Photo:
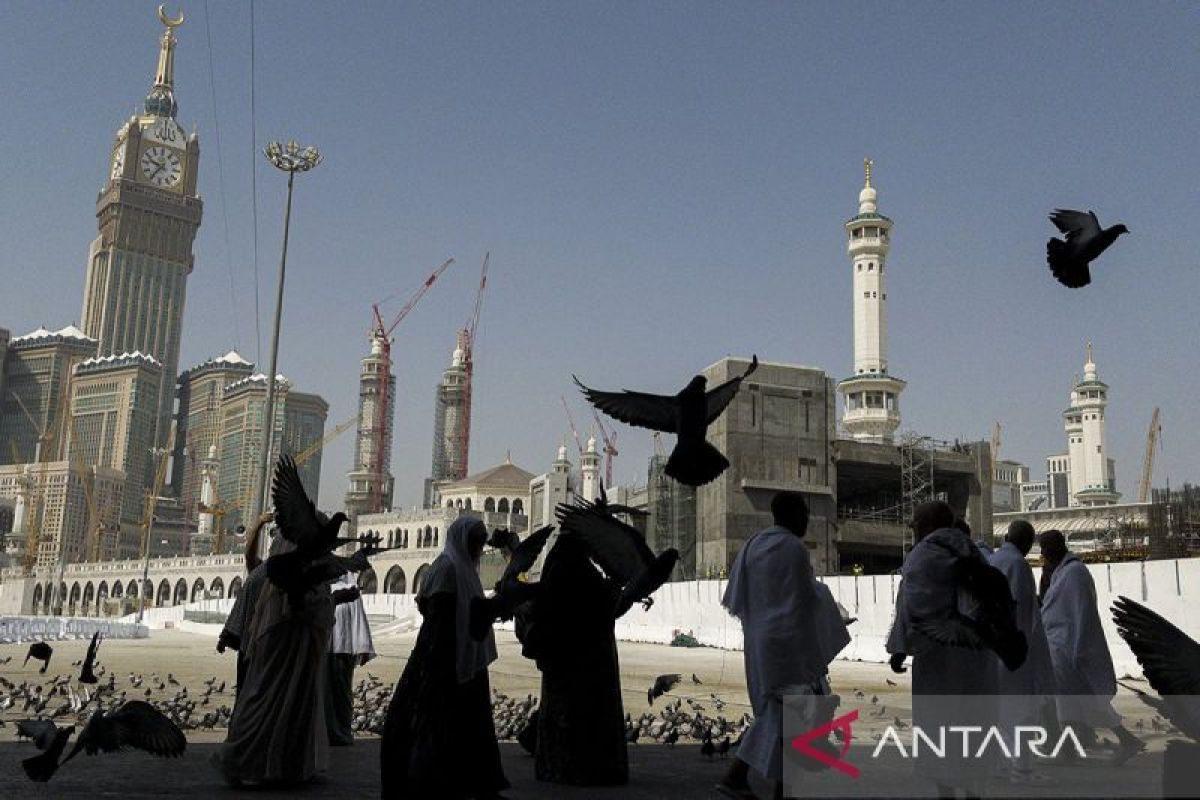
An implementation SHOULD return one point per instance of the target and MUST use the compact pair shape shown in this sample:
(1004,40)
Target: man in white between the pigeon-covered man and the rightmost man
(1029,685)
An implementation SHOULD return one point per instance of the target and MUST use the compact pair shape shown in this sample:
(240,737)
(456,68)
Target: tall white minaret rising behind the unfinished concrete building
(871,398)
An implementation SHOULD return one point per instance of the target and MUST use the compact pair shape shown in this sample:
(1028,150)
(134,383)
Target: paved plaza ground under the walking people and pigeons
(657,771)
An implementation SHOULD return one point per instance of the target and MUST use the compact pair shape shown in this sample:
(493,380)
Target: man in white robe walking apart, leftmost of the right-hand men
(791,631)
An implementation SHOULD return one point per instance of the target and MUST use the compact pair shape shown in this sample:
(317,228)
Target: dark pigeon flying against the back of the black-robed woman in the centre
(620,550)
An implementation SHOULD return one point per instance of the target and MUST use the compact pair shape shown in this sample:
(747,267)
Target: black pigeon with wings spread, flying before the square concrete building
(688,414)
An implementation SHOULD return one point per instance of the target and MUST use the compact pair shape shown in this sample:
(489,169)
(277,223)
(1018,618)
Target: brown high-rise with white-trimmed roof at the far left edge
(38,378)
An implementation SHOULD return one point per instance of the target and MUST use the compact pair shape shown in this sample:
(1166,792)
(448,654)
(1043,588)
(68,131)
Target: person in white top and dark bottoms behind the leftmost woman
(350,647)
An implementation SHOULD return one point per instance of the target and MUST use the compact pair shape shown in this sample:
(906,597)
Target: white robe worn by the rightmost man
(1083,665)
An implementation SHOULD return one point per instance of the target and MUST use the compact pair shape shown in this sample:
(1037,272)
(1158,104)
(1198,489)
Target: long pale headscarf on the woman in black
(457,573)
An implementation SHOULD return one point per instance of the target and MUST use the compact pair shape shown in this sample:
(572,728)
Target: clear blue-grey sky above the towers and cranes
(659,185)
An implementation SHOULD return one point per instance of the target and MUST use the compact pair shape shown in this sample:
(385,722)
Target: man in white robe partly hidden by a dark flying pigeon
(929,593)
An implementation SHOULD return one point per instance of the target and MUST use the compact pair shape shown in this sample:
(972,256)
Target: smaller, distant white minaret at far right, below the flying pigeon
(1091,474)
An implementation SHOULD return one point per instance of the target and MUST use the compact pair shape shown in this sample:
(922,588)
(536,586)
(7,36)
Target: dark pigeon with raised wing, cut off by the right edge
(1171,660)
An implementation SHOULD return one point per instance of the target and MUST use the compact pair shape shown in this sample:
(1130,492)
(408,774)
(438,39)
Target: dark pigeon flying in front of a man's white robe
(994,628)
